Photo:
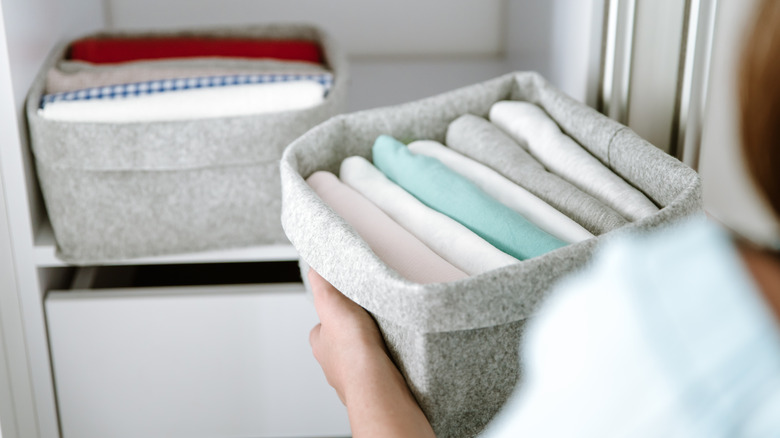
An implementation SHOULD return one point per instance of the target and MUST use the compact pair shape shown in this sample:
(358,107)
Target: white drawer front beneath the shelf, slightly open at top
(189,362)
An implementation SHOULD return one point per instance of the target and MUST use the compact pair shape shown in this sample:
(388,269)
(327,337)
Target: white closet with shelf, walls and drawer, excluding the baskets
(216,342)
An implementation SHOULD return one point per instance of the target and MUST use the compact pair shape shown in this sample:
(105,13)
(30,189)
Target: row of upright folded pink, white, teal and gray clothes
(465,218)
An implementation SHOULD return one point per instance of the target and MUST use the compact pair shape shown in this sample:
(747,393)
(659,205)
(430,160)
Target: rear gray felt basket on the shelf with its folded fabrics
(151,143)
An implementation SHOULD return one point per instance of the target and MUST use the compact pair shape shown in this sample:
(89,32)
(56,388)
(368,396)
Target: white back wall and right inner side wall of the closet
(407,49)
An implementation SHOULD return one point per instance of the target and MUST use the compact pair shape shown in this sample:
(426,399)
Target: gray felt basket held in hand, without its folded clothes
(457,343)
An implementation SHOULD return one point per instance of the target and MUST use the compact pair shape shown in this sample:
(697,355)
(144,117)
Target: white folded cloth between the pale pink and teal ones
(448,238)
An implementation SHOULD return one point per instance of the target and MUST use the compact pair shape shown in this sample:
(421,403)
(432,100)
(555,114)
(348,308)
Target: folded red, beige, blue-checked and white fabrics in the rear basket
(142,79)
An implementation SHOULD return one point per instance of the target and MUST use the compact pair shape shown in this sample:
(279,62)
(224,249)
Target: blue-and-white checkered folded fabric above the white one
(179,84)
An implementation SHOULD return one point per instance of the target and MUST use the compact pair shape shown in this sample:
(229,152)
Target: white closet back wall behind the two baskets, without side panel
(399,51)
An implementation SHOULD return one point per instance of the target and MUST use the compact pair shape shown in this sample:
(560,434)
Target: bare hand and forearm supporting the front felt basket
(350,350)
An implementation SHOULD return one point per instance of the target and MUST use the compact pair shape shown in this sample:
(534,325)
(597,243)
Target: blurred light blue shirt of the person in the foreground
(663,336)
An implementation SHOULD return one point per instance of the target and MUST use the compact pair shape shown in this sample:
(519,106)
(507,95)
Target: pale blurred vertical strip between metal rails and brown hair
(729,194)
